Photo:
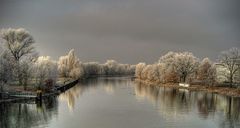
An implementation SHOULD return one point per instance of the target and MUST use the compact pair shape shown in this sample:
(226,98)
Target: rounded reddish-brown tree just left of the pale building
(207,72)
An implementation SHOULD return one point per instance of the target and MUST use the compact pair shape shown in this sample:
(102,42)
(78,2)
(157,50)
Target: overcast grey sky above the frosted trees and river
(128,31)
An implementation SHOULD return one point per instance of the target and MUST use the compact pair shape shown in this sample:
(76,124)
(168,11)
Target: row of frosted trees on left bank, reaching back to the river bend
(20,63)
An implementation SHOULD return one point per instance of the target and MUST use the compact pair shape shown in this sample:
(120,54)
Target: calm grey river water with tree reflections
(122,103)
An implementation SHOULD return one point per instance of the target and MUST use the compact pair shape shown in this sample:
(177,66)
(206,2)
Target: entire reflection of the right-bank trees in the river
(175,103)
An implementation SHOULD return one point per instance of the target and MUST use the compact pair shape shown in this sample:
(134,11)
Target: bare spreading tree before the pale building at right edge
(230,60)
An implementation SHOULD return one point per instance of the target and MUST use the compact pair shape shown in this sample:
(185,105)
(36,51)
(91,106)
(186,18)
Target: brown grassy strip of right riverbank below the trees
(227,91)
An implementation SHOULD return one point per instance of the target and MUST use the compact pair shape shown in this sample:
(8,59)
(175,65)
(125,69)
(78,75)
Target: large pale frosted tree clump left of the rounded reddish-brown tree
(171,67)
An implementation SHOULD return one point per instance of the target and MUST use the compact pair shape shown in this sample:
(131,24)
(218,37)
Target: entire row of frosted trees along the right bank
(175,67)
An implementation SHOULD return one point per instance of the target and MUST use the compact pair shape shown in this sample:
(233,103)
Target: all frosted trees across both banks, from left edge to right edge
(20,63)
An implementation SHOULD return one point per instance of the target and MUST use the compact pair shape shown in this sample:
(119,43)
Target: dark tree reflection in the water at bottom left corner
(23,115)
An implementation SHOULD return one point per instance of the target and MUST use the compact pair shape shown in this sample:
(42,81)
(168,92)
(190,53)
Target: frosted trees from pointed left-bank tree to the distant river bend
(69,66)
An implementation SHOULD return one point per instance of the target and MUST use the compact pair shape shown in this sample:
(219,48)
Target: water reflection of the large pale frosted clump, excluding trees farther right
(169,102)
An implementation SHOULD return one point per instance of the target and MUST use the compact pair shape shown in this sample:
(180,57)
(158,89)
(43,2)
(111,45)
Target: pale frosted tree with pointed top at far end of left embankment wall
(70,66)
